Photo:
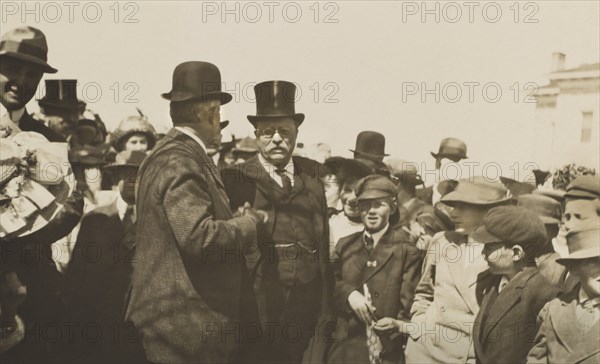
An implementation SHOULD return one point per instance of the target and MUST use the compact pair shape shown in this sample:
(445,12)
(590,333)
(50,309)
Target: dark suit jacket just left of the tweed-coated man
(96,284)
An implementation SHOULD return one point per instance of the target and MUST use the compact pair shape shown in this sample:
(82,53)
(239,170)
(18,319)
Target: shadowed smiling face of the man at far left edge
(18,82)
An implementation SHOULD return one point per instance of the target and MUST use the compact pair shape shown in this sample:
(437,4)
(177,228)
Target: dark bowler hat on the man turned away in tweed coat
(196,81)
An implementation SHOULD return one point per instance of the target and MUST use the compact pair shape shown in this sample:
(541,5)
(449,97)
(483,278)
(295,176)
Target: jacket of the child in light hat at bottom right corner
(558,340)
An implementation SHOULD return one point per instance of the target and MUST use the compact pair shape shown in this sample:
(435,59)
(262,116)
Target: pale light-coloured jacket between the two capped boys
(447,301)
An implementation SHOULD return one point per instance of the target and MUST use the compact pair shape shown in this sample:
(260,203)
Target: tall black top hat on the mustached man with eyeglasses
(275,99)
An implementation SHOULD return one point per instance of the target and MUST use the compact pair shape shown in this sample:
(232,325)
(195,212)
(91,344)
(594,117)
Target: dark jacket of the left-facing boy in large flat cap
(510,325)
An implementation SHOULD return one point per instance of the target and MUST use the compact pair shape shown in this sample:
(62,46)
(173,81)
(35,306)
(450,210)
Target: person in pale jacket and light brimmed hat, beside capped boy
(447,299)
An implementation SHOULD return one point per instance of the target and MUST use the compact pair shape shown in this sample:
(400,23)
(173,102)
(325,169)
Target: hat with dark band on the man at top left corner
(26,44)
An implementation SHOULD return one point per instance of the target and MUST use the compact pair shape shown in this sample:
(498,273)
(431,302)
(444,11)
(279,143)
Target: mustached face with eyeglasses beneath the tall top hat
(276,139)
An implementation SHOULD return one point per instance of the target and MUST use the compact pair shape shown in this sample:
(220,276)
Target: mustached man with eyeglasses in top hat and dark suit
(289,267)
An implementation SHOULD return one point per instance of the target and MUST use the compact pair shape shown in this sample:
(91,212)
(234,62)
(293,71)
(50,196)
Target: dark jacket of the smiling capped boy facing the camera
(391,283)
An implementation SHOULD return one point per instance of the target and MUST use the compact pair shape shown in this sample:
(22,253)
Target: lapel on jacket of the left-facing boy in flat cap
(507,299)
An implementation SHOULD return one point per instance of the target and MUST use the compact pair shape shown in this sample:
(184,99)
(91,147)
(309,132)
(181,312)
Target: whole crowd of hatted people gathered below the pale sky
(130,246)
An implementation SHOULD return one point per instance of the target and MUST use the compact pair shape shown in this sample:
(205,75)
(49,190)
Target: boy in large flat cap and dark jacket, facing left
(506,324)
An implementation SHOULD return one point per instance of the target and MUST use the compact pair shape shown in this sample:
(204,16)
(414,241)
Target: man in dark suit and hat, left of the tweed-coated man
(95,289)
